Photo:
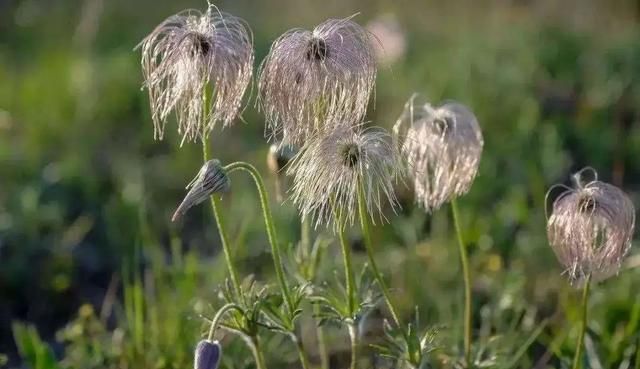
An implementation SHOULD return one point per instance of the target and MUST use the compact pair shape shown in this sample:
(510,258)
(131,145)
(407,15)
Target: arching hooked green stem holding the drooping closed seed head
(271,229)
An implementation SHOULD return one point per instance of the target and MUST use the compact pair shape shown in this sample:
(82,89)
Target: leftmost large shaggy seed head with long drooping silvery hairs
(192,55)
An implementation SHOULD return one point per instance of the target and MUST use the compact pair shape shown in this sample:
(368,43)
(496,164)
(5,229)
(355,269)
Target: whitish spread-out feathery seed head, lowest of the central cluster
(327,171)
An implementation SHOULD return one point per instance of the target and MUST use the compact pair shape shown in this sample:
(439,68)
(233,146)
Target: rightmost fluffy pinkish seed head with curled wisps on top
(590,228)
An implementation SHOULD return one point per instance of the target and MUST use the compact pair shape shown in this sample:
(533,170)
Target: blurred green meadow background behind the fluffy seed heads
(94,274)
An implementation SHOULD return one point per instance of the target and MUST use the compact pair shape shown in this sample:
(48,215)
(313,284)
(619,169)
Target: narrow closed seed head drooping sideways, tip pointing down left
(212,178)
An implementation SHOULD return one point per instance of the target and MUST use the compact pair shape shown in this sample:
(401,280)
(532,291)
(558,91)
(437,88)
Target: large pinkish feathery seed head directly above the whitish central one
(313,81)
